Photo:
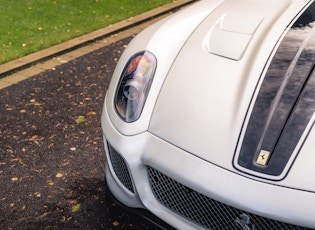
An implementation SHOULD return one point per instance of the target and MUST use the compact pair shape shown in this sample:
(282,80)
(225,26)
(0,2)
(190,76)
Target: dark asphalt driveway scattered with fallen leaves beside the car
(51,157)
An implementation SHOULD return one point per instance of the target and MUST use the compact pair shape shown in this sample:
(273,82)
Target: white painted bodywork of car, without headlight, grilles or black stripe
(192,119)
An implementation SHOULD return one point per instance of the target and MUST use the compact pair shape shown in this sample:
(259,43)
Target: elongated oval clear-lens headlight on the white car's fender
(134,85)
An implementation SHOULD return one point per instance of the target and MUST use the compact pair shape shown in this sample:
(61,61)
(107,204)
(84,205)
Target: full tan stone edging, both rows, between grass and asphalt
(25,67)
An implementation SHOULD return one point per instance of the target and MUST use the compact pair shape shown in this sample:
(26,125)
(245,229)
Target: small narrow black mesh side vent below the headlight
(120,167)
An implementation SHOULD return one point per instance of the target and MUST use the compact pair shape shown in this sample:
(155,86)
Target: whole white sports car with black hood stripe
(208,120)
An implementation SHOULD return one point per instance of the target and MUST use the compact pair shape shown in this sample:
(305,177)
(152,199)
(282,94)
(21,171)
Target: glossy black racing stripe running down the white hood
(286,100)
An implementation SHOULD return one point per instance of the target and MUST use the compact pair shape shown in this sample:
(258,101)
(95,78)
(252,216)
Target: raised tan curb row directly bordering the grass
(40,56)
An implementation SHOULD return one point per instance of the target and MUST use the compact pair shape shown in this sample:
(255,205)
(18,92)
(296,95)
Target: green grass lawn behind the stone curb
(30,25)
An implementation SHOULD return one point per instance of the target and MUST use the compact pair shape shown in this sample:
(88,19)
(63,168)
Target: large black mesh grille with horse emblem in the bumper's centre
(204,211)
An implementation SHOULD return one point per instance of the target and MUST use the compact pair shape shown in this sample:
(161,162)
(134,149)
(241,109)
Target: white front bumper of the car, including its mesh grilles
(189,193)
